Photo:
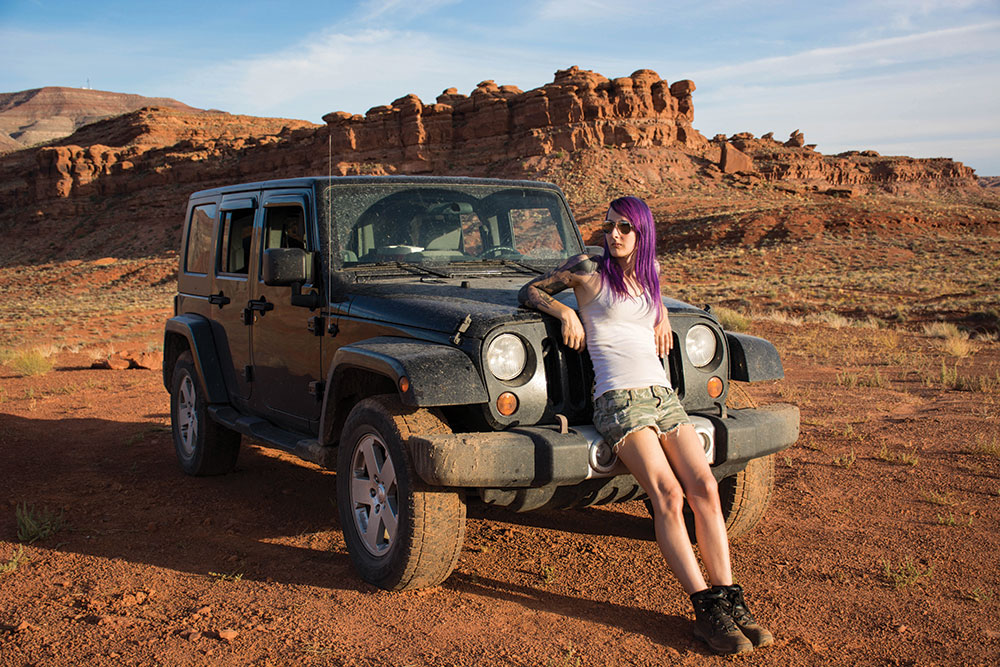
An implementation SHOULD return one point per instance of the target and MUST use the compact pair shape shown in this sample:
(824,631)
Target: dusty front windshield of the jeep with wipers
(445,223)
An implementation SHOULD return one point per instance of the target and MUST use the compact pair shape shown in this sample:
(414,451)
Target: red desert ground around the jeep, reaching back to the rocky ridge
(879,548)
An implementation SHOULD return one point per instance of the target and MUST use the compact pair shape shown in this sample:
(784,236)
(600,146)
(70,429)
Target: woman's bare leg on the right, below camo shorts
(687,459)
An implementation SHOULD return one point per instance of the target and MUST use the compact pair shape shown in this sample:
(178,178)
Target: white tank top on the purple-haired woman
(621,342)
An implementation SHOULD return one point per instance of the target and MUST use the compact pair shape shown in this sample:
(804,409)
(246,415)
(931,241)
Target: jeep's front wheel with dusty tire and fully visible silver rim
(400,533)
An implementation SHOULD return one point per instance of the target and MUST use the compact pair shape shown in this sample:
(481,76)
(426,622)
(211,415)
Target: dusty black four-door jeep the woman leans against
(371,325)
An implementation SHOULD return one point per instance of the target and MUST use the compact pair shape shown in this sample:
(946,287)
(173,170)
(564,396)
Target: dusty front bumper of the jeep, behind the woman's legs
(536,456)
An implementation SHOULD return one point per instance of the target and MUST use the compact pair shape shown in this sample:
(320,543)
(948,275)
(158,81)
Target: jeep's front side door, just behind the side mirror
(286,351)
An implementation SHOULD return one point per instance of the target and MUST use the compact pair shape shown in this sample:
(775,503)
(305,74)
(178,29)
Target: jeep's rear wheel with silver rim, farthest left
(203,447)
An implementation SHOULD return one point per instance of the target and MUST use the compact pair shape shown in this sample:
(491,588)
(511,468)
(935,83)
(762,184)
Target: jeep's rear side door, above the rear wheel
(233,264)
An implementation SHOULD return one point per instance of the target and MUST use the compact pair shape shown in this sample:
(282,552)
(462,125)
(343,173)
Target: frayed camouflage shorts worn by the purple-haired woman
(621,411)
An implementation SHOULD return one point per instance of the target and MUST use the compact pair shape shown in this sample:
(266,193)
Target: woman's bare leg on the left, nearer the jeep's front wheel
(643,455)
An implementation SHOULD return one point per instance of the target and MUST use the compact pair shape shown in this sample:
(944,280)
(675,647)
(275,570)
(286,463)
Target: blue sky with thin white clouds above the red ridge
(903,77)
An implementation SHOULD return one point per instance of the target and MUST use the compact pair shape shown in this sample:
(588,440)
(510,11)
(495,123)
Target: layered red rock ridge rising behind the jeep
(119,185)
